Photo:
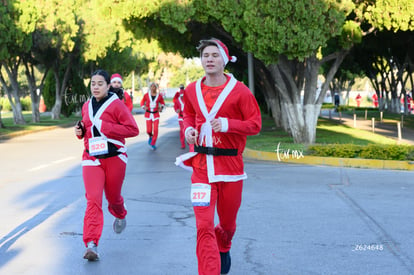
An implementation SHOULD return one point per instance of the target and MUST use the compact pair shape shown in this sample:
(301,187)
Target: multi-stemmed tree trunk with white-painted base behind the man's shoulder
(300,100)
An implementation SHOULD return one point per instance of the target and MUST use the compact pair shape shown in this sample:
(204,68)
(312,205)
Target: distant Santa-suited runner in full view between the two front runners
(153,103)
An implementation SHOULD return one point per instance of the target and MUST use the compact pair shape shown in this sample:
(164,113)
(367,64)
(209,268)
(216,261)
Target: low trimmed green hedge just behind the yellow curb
(371,151)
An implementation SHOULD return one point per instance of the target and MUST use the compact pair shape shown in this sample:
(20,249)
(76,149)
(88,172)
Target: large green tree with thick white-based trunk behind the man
(286,38)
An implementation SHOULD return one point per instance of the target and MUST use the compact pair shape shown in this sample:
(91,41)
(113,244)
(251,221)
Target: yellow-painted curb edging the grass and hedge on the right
(329,161)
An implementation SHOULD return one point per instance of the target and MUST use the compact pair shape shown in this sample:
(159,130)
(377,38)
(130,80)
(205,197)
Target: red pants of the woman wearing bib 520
(106,177)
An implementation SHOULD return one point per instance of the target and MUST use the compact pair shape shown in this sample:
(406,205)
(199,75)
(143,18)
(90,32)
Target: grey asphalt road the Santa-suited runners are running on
(294,219)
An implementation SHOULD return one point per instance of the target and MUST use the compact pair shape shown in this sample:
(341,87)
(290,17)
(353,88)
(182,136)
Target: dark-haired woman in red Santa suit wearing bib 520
(106,122)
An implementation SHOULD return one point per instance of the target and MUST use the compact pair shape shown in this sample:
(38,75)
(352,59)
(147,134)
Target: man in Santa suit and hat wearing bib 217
(219,113)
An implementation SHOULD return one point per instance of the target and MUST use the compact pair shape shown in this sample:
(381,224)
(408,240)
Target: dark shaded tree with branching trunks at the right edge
(386,58)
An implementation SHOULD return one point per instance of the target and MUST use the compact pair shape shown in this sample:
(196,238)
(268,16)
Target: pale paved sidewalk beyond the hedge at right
(383,128)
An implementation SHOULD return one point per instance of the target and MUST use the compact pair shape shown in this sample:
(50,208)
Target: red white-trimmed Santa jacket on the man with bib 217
(241,116)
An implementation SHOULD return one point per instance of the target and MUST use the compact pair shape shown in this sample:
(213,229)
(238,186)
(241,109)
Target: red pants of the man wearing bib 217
(212,240)
